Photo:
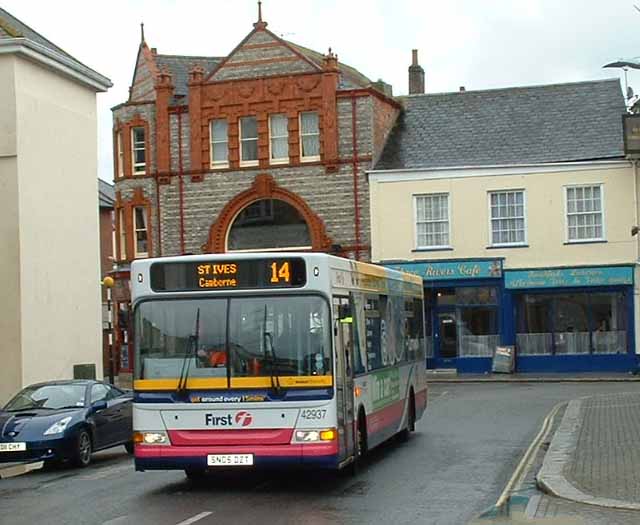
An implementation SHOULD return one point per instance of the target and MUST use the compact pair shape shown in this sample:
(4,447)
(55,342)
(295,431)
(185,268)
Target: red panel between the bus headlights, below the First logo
(247,436)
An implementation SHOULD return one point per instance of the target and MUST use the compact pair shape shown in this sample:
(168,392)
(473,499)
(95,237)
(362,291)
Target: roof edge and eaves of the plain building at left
(14,31)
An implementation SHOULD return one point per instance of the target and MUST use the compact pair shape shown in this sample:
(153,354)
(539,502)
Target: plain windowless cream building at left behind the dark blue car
(50,317)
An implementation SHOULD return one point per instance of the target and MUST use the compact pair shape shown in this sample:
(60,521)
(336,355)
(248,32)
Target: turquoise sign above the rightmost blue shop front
(569,277)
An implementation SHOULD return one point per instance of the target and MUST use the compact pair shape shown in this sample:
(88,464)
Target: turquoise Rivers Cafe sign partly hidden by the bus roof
(443,271)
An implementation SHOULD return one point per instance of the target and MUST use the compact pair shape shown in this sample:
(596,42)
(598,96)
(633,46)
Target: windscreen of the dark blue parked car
(52,397)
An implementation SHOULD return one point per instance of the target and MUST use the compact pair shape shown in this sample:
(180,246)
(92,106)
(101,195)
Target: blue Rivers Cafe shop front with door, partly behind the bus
(463,311)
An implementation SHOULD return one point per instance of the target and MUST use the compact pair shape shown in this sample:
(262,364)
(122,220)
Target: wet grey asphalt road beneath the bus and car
(455,466)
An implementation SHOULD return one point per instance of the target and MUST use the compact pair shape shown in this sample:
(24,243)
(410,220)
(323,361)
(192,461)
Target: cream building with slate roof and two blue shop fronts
(516,206)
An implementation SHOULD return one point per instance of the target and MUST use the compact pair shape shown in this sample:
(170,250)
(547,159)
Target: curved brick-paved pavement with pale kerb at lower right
(594,457)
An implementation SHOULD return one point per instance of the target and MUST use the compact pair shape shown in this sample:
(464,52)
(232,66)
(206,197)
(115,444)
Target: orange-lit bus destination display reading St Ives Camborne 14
(228,275)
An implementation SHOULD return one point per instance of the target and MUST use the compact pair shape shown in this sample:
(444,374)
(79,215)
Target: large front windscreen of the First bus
(233,337)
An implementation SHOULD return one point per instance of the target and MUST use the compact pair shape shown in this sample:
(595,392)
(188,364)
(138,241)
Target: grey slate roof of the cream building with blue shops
(520,125)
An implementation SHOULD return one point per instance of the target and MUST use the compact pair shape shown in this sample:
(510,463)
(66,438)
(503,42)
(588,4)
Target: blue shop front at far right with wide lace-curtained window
(573,319)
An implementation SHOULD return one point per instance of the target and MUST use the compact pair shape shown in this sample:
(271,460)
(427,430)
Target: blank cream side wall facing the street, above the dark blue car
(59,236)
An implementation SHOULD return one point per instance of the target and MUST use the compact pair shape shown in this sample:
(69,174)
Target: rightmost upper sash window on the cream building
(585,221)
